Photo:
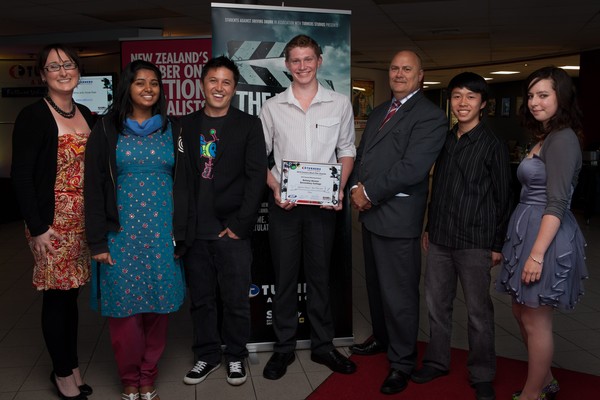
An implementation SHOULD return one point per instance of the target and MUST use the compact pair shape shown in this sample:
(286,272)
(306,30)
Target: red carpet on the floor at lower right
(510,376)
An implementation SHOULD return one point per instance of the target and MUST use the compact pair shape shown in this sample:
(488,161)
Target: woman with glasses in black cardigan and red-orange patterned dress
(49,140)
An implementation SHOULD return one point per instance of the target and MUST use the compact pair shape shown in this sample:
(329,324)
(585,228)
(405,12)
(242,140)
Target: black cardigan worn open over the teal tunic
(100,197)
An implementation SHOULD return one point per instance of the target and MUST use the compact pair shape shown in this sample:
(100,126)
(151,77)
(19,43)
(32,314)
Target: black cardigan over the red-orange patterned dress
(34,159)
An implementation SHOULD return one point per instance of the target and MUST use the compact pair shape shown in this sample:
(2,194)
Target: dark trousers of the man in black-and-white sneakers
(220,266)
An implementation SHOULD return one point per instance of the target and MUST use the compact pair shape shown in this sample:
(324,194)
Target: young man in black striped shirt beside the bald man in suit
(467,219)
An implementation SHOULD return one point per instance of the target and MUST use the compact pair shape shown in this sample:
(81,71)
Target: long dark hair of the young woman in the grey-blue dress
(568,114)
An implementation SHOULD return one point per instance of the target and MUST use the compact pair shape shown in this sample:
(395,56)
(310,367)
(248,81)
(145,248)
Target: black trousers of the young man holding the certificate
(304,232)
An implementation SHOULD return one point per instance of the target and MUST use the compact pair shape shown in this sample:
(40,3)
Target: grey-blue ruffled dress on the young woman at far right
(560,285)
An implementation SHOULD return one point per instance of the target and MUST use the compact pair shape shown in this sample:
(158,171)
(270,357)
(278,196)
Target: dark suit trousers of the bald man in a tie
(392,274)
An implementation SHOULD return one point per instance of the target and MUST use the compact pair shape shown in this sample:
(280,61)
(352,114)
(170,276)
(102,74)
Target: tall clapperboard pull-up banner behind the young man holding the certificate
(254,37)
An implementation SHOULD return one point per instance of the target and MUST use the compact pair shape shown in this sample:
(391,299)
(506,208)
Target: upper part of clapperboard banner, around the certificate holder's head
(254,37)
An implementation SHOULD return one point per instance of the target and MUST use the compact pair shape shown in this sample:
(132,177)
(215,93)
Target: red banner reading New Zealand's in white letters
(180,62)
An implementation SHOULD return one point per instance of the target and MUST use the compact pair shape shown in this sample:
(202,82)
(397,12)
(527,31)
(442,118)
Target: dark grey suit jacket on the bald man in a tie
(394,163)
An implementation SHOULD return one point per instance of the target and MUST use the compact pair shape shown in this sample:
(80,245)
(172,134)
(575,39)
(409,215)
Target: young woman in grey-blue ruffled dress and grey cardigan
(544,262)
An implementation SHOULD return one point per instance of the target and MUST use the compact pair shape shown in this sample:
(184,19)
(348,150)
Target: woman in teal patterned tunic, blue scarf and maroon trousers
(136,170)
